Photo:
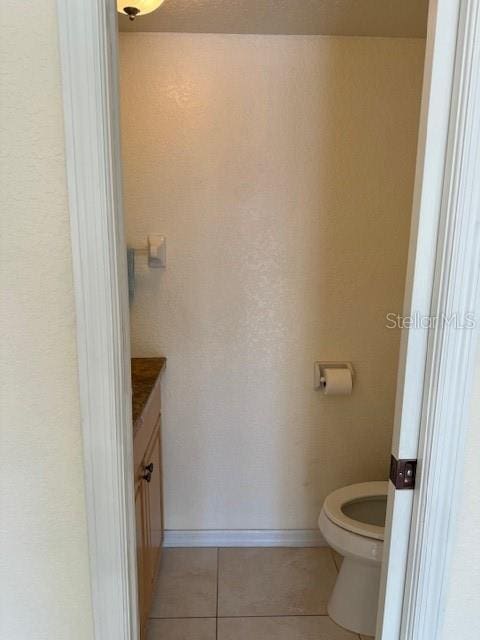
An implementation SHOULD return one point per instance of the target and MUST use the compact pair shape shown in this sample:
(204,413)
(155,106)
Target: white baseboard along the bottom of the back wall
(244,538)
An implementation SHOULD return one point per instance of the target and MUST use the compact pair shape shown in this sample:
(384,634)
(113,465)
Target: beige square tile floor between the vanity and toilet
(245,594)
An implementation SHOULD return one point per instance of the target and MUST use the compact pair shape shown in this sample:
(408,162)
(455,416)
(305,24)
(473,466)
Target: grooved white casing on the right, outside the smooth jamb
(449,370)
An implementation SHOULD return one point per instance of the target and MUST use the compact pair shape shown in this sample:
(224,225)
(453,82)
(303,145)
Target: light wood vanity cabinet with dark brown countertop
(147,454)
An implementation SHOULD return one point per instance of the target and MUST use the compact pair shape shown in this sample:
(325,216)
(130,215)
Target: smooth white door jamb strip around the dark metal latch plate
(427,198)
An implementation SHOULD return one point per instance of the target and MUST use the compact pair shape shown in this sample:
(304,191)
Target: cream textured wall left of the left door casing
(45,592)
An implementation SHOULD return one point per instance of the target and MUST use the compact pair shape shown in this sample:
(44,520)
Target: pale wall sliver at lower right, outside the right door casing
(462,615)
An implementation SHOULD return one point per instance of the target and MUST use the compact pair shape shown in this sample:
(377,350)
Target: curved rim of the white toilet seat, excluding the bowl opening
(355,492)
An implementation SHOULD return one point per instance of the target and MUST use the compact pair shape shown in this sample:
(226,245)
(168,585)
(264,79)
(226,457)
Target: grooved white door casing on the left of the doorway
(88,48)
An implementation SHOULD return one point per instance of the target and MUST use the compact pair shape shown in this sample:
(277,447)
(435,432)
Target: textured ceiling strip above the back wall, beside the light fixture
(397,18)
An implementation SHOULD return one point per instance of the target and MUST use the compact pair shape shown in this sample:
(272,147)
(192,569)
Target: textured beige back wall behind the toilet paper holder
(280,169)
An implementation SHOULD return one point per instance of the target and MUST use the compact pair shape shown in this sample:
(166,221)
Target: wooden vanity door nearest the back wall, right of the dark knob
(153,496)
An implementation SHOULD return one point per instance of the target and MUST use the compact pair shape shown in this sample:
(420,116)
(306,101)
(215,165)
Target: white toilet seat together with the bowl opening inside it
(369,497)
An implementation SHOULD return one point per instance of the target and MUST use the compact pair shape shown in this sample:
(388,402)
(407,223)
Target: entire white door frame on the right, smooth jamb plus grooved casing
(435,367)
